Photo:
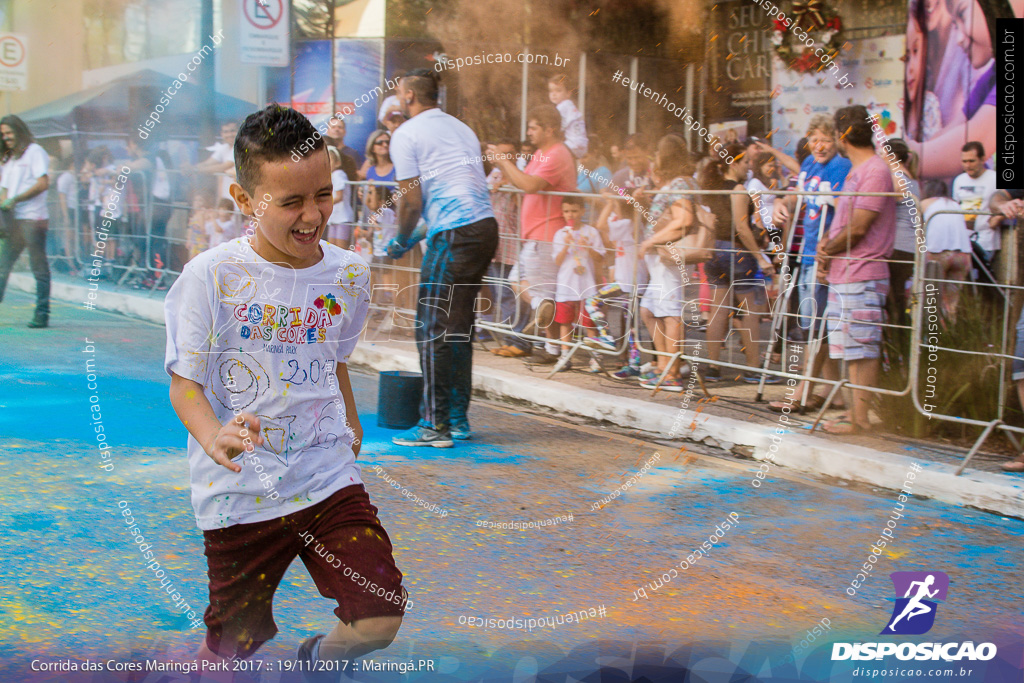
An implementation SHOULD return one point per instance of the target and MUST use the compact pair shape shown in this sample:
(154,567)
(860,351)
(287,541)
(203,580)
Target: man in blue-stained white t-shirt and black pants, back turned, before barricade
(436,181)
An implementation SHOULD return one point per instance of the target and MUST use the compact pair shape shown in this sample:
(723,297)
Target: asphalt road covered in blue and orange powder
(74,588)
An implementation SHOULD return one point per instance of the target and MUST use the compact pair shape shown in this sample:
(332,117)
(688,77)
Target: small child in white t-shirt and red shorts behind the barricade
(577,248)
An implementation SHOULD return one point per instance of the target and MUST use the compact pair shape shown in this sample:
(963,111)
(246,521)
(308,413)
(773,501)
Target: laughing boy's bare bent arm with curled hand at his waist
(222,443)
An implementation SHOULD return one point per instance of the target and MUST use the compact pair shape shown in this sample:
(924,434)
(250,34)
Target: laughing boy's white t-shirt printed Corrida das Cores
(267,339)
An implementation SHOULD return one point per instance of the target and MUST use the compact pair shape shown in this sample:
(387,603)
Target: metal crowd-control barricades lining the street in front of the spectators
(136,244)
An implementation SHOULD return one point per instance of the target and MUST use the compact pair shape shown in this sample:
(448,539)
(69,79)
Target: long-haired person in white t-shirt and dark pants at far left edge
(23,193)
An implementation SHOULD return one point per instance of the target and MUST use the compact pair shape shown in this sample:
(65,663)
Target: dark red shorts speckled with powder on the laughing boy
(346,550)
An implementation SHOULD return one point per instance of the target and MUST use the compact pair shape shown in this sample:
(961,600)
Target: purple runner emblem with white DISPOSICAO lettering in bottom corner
(915,609)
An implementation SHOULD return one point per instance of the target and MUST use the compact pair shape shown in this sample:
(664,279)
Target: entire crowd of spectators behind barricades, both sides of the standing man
(655,220)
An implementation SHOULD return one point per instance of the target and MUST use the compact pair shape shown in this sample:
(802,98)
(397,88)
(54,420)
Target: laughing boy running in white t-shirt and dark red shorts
(259,333)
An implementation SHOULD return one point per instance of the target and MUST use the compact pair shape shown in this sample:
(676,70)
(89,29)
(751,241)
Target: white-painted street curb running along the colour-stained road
(991,493)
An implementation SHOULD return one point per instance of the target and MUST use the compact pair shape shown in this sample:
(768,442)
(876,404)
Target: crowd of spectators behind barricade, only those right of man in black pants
(850,260)
